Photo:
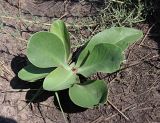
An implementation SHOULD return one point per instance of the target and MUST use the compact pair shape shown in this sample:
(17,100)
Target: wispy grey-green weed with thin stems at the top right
(120,13)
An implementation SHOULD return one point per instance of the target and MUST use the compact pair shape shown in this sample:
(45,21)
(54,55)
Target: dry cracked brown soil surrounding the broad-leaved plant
(134,90)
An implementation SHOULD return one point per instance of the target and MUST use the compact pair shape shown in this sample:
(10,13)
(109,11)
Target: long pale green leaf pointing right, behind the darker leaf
(120,36)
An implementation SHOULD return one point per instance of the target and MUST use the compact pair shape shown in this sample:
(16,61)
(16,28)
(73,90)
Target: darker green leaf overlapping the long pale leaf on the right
(103,58)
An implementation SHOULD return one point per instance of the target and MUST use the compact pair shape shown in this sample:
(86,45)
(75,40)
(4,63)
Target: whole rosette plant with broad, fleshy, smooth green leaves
(50,57)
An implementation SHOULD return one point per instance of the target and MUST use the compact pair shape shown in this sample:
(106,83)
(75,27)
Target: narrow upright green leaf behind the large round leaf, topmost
(58,27)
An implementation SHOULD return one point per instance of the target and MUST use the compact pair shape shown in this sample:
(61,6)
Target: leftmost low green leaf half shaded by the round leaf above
(32,73)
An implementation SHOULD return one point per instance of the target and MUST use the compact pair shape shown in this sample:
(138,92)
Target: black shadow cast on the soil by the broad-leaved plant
(35,95)
